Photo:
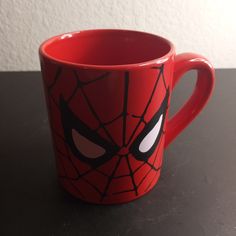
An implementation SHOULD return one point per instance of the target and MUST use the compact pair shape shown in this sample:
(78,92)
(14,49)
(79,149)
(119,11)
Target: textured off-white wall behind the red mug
(207,27)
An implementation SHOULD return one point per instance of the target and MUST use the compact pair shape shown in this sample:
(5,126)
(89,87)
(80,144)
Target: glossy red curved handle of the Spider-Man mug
(202,92)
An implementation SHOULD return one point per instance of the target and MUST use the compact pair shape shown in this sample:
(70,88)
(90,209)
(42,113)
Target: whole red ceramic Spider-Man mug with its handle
(108,93)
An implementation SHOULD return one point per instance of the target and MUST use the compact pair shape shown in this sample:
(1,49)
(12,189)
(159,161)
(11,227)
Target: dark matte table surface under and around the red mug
(196,194)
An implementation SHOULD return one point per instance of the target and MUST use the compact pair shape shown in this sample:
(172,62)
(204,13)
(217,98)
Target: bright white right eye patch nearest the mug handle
(150,138)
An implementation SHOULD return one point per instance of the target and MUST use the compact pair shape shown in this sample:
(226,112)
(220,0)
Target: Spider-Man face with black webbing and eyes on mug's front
(108,130)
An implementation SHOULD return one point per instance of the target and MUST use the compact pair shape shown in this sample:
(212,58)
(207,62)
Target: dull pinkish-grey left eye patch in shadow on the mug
(86,147)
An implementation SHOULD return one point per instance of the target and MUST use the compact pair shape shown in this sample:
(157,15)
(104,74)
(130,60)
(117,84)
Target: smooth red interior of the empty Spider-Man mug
(106,47)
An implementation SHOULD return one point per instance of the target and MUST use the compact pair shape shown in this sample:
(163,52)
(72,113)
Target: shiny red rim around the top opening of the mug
(51,40)
